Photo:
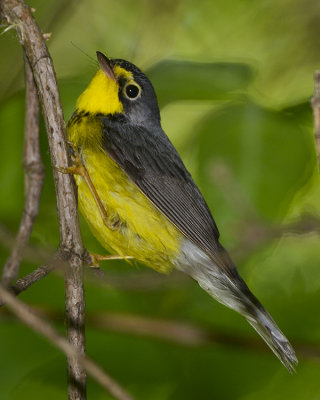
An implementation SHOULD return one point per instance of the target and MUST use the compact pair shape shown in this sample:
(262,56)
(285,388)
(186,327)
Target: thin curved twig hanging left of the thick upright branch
(34,175)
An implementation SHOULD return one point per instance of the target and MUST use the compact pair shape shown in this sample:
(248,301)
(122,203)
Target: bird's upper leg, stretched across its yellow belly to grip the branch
(78,168)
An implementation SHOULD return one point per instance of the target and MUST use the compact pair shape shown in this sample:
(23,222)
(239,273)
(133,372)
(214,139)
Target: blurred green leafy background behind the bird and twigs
(234,81)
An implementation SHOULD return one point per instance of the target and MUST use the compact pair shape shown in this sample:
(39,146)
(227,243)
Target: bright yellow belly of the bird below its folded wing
(144,233)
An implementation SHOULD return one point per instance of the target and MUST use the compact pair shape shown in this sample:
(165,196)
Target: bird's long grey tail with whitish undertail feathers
(226,286)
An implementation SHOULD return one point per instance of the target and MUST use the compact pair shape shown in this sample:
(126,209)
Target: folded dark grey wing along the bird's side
(154,165)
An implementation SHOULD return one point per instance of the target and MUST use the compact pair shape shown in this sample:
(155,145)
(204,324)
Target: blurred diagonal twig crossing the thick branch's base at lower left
(30,318)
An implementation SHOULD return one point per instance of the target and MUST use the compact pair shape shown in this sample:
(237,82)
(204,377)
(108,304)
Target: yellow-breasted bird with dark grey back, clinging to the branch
(139,199)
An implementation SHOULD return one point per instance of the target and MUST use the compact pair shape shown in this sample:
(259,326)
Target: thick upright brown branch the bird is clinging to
(18,14)
